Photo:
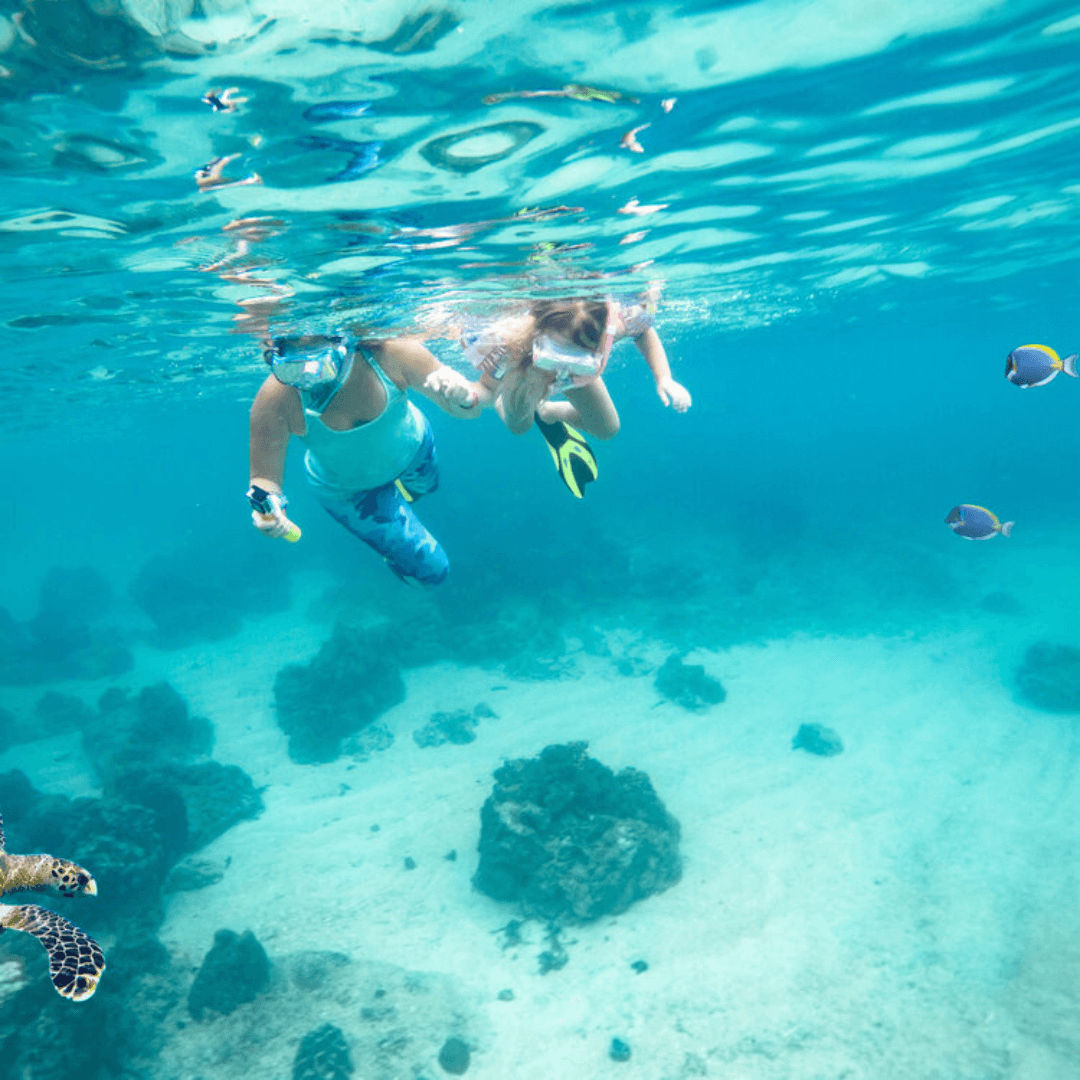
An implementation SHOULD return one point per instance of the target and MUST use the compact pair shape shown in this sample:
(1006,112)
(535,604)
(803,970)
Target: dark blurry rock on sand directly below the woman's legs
(350,683)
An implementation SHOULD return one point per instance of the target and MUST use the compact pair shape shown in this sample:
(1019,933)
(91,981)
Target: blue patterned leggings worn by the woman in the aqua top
(386,522)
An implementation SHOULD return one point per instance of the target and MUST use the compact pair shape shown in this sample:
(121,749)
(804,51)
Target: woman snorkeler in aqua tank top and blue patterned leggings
(371,452)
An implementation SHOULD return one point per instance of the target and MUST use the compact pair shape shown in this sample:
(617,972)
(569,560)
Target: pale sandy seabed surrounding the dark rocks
(907,910)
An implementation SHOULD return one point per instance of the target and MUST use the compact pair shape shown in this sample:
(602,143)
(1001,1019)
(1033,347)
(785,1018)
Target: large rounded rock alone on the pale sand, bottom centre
(566,839)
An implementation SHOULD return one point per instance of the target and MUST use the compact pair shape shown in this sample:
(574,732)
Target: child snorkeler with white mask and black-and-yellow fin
(562,347)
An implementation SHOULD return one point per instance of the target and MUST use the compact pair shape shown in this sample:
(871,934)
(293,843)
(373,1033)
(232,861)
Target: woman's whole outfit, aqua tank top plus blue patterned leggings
(354,475)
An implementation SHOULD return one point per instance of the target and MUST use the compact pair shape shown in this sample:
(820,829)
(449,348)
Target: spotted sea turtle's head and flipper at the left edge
(76,962)
